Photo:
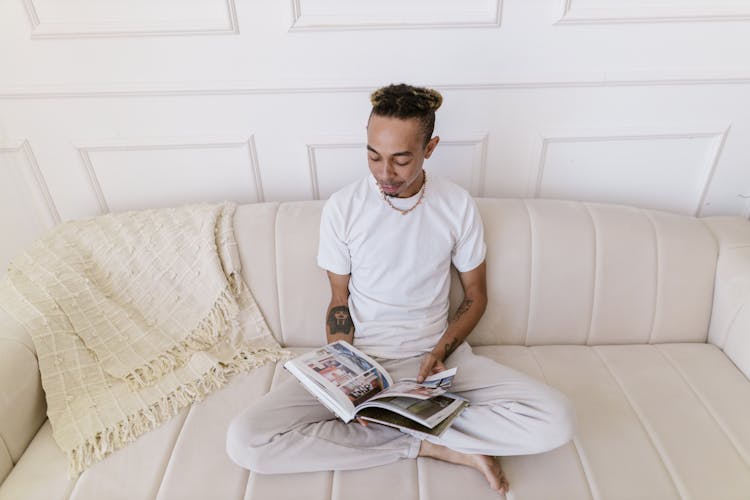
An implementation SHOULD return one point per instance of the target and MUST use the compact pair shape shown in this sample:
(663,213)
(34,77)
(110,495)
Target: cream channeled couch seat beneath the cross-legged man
(654,421)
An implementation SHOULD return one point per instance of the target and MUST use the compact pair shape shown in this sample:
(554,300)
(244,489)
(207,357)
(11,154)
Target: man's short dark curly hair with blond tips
(405,101)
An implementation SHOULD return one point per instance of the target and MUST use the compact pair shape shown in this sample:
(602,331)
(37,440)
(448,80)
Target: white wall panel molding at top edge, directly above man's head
(306,16)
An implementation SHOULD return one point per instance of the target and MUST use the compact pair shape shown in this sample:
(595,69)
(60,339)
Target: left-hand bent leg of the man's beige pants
(288,430)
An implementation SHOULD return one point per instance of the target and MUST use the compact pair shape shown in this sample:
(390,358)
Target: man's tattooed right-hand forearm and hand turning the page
(474,283)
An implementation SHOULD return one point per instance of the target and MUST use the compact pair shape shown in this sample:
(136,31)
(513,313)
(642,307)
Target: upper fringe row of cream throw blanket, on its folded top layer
(215,326)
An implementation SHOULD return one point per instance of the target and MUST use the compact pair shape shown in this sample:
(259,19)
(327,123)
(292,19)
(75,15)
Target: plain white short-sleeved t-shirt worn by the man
(400,264)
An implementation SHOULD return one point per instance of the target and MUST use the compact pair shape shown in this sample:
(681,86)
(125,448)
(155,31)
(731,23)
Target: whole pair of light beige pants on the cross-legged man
(288,430)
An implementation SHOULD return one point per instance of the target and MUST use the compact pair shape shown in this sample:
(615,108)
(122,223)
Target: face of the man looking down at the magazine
(396,153)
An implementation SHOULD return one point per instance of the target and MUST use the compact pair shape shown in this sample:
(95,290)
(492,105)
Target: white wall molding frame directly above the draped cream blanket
(85,148)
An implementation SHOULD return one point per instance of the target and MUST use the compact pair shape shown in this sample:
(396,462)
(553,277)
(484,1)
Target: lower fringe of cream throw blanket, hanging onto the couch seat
(124,432)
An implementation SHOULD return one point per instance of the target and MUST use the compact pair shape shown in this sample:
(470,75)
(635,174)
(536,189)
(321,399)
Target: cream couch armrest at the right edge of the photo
(730,318)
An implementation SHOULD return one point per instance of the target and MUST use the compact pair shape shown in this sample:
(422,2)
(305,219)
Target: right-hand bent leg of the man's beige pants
(510,412)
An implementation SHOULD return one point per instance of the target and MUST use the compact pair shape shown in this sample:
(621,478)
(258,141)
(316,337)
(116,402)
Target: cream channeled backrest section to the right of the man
(567,272)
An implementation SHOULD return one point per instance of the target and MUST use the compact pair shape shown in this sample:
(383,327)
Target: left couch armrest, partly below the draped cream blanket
(23,408)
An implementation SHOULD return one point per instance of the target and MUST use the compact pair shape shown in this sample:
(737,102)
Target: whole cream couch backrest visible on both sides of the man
(559,272)
